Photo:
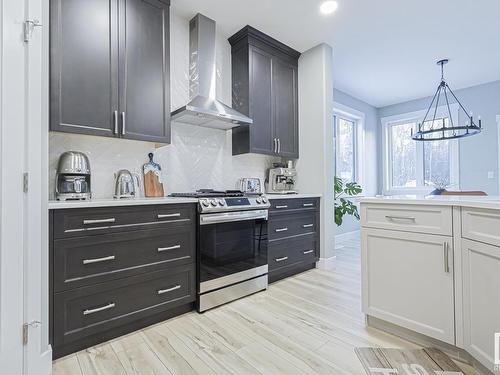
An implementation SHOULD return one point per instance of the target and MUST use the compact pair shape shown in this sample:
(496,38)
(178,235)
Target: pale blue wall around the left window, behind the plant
(371,150)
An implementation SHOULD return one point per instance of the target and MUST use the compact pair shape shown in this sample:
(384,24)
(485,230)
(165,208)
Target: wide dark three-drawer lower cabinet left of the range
(105,283)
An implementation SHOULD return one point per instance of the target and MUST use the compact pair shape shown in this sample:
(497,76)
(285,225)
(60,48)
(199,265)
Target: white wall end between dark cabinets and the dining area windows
(316,162)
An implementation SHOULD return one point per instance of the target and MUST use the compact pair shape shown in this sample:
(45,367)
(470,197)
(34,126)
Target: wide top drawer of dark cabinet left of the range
(83,221)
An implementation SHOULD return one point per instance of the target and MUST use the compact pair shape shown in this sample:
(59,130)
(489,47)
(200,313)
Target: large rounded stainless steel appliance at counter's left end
(73,177)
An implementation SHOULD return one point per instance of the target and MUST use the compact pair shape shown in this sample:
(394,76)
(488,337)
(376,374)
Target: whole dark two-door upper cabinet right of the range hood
(264,80)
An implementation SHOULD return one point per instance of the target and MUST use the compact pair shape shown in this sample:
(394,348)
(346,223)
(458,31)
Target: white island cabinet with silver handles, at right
(432,265)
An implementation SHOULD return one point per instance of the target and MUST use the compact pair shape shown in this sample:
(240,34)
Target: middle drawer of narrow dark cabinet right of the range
(292,224)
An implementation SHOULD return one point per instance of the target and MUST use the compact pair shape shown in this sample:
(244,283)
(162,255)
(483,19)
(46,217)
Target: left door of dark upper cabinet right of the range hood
(261,102)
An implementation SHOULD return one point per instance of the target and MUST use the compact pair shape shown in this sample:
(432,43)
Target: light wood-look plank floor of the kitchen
(306,324)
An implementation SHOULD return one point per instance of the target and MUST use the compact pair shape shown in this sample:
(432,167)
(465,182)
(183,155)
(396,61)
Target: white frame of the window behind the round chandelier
(416,117)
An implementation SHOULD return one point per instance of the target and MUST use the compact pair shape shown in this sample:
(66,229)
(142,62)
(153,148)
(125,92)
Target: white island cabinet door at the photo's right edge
(481,285)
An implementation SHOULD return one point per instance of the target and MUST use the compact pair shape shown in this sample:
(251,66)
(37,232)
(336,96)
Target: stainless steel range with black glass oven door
(232,245)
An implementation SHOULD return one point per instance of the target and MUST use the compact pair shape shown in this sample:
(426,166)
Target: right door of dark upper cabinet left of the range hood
(144,82)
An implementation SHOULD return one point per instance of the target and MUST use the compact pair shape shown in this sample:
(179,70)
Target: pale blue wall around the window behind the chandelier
(478,154)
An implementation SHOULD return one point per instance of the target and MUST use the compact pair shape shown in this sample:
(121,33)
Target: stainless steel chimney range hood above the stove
(203,108)
